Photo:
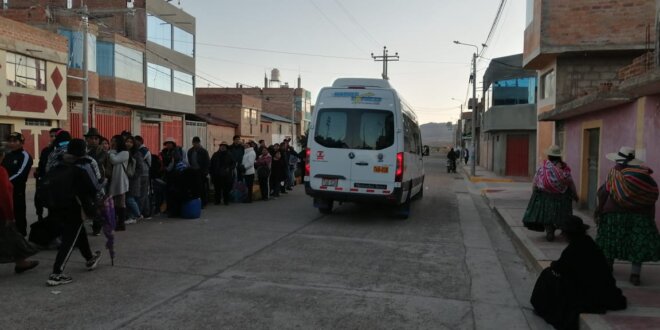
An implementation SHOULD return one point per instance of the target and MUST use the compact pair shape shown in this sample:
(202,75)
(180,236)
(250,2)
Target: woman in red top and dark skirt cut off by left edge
(13,246)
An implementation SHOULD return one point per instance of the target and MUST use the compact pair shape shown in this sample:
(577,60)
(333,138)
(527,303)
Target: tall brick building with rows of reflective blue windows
(141,63)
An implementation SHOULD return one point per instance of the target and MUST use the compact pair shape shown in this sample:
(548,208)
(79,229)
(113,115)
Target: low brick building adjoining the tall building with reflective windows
(243,110)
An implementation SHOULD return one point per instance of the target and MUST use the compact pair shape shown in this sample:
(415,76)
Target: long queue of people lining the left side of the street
(118,182)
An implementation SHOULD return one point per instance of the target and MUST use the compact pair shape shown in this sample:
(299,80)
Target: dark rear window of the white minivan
(355,129)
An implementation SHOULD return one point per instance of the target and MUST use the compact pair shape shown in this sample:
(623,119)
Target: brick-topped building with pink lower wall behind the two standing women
(585,52)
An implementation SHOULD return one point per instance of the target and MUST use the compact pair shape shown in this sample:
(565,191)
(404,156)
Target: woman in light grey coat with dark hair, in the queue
(119,184)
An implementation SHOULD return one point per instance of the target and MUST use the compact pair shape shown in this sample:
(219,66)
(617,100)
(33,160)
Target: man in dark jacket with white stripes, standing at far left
(18,164)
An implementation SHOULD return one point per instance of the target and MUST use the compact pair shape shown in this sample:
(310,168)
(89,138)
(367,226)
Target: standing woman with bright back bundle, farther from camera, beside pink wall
(553,191)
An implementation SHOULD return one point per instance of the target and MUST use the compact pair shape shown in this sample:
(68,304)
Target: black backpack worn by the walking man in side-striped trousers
(56,188)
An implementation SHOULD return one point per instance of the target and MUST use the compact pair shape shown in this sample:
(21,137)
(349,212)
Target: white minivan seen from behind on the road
(364,145)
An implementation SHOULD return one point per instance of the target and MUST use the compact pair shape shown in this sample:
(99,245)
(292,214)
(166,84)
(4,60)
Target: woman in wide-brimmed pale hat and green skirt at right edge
(626,213)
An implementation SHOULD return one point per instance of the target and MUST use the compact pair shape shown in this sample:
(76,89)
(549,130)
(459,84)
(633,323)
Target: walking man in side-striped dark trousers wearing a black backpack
(68,190)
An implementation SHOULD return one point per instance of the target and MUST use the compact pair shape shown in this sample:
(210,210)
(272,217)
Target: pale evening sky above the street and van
(239,41)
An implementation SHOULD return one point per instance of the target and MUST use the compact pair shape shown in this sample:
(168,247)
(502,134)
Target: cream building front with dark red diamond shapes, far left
(33,84)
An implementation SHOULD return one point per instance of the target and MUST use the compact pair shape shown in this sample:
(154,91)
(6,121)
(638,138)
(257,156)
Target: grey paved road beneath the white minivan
(280,264)
